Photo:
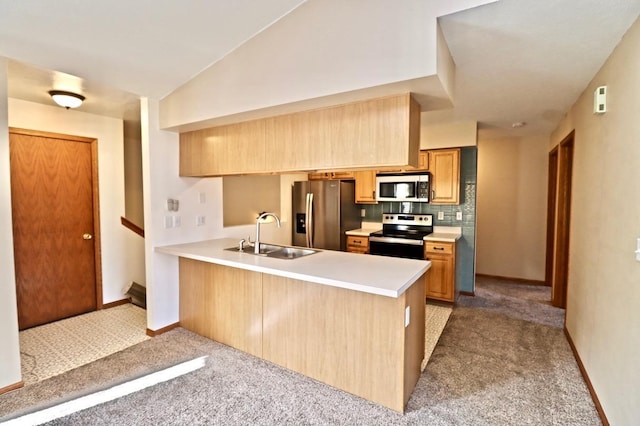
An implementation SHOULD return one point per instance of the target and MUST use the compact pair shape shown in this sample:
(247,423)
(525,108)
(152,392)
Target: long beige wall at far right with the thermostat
(603,306)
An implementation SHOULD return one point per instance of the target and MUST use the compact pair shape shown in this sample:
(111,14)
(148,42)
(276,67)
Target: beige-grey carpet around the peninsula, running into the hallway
(503,359)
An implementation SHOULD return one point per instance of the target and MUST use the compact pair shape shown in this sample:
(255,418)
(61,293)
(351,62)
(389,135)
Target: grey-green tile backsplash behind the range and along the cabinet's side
(465,273)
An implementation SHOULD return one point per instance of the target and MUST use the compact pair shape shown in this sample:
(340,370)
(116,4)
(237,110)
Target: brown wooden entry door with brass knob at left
(53,197)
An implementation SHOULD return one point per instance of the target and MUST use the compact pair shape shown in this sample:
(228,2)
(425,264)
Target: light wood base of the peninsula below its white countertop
(351,340)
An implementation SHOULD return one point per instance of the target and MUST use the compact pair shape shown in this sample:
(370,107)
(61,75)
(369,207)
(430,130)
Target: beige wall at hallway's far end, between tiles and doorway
(511,207)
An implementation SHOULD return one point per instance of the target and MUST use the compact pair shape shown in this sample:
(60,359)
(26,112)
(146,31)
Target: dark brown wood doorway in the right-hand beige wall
(559,220)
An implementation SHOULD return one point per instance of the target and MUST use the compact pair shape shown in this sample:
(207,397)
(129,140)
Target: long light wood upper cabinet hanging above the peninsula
(381,132)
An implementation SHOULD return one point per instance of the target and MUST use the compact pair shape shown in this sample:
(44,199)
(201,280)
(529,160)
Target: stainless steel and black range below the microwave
(402,235)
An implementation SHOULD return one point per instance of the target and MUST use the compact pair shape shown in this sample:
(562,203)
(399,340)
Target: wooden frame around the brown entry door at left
(97,242)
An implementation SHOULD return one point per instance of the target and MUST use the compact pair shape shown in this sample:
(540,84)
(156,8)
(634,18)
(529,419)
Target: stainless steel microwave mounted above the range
(403,187)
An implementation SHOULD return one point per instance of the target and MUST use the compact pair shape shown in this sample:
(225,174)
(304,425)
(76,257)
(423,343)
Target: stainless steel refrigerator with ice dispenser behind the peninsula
(323,211)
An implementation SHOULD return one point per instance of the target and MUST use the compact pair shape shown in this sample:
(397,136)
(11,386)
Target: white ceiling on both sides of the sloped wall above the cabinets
(516,60)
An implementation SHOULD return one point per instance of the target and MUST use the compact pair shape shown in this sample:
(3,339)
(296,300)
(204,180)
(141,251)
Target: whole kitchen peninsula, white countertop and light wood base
(353,322)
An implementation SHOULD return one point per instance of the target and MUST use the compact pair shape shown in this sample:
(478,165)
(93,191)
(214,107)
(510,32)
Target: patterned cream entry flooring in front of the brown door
(54,348)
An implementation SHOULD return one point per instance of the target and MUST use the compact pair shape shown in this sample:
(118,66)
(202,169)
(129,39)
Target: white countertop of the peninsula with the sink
(385,276)
